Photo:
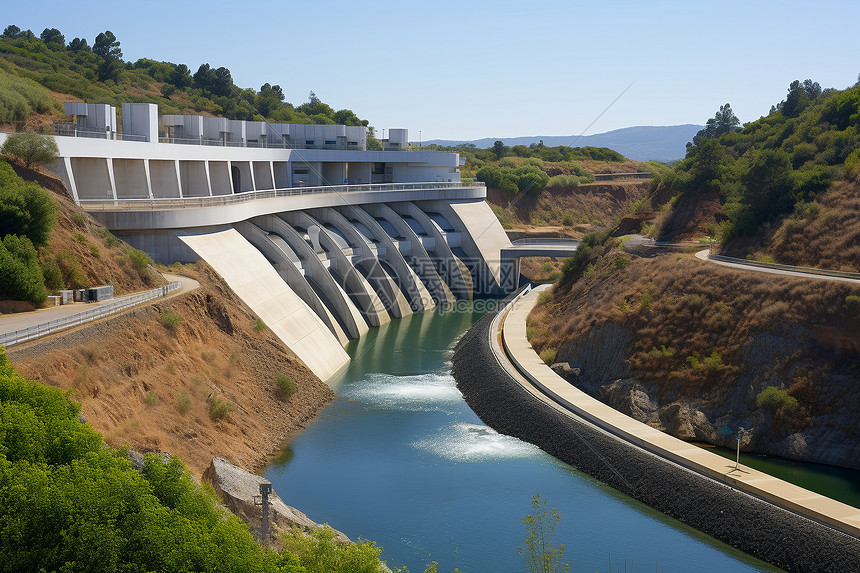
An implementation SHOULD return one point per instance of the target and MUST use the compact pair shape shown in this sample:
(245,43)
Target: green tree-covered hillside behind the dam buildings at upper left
(34,70)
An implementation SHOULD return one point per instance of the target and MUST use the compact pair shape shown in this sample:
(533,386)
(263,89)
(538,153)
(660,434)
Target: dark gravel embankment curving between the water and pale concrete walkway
(777,536)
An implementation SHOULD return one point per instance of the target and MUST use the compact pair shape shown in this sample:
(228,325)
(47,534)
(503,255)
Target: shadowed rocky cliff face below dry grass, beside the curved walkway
(598,363)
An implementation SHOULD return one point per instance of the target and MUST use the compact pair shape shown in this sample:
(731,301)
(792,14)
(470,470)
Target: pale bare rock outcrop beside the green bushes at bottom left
(237,489)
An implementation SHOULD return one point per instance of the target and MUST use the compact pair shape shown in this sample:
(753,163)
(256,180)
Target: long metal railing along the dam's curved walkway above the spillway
(238,198)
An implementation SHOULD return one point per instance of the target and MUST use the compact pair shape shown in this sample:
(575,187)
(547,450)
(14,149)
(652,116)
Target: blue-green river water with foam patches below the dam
(399,458)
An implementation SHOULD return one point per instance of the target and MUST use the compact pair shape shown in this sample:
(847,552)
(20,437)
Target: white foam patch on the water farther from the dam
(464,442)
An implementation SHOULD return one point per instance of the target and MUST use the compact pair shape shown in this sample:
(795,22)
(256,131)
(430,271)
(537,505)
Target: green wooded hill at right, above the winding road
(769,181)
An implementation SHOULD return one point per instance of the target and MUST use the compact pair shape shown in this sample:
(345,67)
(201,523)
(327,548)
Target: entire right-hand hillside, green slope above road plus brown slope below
(689,347)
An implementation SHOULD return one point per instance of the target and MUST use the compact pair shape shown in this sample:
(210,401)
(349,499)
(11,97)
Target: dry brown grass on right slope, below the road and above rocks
(690,319)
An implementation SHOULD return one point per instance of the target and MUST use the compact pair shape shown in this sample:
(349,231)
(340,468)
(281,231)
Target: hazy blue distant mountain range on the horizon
(642,143)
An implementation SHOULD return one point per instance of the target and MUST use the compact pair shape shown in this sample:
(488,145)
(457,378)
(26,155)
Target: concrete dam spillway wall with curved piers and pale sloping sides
(319,277)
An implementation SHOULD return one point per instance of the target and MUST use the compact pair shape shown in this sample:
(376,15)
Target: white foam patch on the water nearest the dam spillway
(423,392)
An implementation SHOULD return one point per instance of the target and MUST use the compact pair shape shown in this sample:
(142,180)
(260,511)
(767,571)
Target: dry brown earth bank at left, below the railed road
(194,375)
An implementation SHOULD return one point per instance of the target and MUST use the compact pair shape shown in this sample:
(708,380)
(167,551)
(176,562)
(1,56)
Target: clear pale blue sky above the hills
(465,70)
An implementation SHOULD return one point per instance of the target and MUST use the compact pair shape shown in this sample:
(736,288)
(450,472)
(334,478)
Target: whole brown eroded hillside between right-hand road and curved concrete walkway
(688,347)
